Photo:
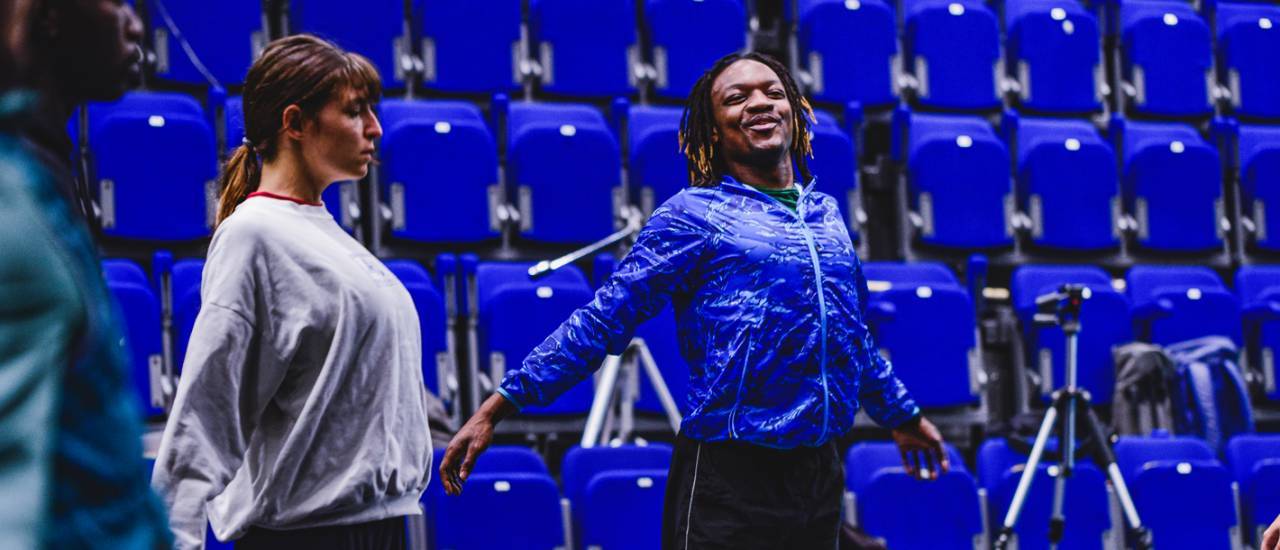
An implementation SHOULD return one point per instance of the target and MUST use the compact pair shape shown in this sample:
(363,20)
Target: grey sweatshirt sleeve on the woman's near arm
(227,382)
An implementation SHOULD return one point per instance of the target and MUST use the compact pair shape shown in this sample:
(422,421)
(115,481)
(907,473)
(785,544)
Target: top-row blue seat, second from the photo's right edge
(1168,58)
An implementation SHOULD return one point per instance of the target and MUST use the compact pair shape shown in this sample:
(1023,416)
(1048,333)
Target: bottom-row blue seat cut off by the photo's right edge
(1255,461)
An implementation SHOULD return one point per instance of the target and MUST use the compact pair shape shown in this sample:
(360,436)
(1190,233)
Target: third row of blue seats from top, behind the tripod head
(481,319)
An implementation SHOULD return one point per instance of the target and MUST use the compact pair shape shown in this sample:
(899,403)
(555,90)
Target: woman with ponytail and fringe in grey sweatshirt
(301,414)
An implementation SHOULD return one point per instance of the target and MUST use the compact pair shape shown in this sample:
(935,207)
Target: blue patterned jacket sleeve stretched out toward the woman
(666,250)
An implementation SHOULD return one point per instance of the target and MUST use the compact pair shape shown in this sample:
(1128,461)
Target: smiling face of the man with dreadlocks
(753,114)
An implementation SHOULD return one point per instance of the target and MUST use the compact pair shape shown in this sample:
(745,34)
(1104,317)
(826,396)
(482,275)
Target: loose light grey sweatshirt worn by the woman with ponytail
(301,401)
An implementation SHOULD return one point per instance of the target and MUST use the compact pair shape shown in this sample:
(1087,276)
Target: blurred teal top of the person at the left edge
(71,446)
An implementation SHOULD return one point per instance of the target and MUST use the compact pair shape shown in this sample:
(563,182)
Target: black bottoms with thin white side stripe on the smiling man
(737,496)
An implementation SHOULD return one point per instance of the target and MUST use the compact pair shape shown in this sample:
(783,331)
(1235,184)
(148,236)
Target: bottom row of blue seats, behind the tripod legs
(614,497)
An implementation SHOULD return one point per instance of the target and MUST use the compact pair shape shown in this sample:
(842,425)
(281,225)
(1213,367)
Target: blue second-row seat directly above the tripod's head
(1067,182)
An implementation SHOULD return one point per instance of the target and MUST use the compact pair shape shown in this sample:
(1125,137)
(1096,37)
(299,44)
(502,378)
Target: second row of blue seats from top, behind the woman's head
(1059,185)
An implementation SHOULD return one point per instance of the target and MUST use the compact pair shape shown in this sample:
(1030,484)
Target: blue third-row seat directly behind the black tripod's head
(1105,326)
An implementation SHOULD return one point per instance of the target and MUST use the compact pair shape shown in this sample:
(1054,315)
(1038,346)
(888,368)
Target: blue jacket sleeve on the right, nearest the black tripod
(881,392)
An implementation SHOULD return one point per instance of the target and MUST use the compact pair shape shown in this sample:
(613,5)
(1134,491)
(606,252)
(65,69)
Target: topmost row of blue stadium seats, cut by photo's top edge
(954,54)
